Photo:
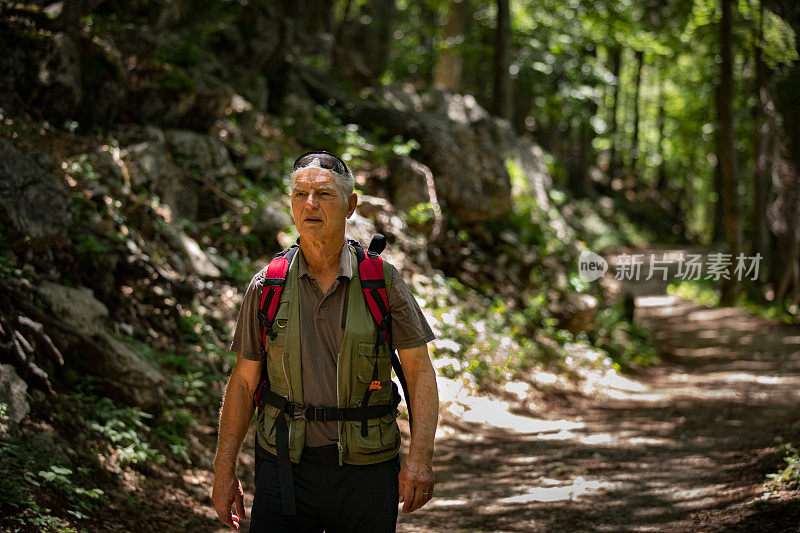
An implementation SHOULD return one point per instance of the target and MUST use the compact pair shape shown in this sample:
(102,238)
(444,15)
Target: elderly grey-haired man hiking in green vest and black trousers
(336,466)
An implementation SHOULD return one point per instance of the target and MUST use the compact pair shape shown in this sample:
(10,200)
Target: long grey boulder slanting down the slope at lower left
(91,348)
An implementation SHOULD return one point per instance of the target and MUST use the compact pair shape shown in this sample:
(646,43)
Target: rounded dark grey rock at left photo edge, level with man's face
(35,201)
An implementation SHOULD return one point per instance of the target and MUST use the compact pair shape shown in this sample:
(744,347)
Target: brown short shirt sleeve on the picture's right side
(409,327)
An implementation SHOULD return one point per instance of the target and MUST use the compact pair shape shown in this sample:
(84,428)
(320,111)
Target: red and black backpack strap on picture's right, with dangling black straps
(373,284)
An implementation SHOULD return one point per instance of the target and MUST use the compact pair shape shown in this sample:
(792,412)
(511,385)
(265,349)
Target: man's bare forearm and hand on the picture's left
(234,421)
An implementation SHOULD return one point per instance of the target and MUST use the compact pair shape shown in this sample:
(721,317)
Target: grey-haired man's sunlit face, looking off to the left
(318,207)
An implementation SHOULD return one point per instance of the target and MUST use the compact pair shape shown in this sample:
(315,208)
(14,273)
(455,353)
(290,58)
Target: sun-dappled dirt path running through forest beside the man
(677,452)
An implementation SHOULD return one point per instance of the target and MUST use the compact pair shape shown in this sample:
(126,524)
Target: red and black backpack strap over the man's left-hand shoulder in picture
(274,281)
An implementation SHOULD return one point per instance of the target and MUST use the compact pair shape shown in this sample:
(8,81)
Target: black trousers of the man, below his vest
(329,497)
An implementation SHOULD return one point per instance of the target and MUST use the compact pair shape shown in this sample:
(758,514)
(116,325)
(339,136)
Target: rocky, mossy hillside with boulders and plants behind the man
(141,188)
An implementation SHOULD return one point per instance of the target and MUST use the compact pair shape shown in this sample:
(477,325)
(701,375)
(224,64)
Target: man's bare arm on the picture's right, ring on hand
(416,474)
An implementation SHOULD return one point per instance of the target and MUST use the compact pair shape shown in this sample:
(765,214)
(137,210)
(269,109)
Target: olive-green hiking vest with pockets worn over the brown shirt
(354,374)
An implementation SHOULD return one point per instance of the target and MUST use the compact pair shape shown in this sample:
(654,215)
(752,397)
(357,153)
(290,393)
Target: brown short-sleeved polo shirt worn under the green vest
(322,322)
